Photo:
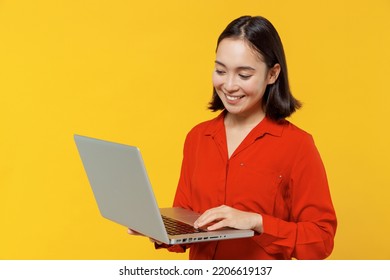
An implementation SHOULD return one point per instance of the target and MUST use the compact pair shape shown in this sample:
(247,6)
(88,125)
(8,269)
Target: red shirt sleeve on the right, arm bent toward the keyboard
(310,231)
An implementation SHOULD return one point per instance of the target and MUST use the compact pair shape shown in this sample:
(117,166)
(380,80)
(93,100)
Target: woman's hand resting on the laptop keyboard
(225,216)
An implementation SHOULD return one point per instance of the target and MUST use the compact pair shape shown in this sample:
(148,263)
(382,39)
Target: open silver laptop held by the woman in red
(124,195)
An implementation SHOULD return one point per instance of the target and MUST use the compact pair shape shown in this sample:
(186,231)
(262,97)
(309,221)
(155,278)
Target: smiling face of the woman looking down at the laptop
(241,77)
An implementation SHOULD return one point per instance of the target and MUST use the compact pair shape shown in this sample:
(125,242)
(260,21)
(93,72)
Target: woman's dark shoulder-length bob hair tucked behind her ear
(261,35)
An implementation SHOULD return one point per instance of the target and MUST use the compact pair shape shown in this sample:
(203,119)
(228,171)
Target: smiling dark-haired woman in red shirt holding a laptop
(249,168)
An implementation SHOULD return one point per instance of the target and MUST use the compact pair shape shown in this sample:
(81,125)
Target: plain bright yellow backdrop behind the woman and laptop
(139,72)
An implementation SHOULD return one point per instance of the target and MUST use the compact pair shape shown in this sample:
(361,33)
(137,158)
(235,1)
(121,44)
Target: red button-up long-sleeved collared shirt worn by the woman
(276,172)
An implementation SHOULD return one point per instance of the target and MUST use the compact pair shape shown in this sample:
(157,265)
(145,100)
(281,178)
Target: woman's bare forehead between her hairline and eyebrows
(237,52)
